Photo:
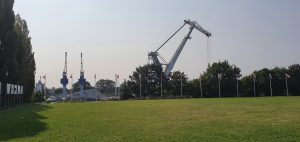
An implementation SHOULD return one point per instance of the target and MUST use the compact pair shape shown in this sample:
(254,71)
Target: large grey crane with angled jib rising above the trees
(169,66)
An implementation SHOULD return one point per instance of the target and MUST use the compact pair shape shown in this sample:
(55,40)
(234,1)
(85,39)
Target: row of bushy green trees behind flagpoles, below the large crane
(148,81)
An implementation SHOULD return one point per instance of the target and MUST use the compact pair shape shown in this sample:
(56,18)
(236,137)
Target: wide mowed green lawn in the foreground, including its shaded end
(218,120)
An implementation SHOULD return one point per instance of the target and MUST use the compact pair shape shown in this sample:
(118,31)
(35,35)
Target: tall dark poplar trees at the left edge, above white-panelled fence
(17,63)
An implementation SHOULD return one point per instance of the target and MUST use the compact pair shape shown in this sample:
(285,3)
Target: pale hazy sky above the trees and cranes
(116,35)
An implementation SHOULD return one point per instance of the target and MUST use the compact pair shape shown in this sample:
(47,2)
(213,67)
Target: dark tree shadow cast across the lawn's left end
(21,122)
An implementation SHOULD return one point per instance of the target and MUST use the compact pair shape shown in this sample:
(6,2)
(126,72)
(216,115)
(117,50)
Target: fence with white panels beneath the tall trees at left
(11,95)
